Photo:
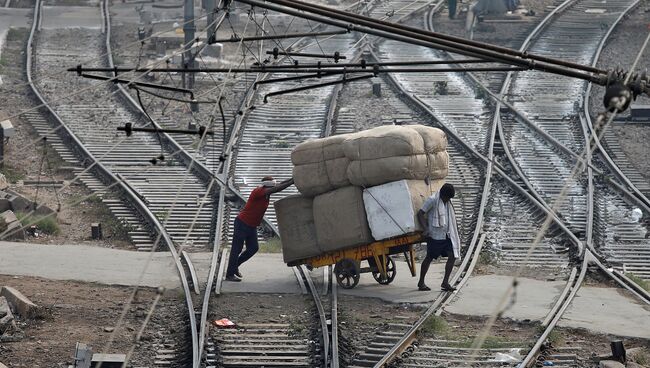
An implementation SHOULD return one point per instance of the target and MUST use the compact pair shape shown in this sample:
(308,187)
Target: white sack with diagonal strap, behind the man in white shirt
(391,208)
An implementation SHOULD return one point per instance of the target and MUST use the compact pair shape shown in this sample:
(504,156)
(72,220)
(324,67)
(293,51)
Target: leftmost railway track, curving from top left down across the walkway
(165,200)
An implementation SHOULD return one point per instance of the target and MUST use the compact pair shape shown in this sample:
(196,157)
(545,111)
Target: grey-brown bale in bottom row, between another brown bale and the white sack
(340,219)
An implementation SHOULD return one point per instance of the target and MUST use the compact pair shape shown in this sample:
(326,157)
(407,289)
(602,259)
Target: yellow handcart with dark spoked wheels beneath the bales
(347,261)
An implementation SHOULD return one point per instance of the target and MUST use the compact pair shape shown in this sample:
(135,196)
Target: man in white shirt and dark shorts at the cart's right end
(438,220)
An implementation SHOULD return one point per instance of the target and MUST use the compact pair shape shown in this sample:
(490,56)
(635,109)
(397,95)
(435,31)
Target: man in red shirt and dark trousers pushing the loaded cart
(246,223)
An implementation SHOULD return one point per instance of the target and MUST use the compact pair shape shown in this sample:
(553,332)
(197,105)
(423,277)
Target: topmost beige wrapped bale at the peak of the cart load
(383,141)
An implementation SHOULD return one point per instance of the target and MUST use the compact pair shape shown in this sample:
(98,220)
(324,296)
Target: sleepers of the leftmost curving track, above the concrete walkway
(166,188)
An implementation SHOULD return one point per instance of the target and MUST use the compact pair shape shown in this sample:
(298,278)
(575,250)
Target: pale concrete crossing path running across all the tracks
(267,273)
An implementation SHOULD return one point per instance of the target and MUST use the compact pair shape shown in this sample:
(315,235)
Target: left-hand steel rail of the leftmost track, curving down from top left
(107,175)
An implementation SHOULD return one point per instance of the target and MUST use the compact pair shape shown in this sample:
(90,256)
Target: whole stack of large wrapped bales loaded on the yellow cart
(332,174)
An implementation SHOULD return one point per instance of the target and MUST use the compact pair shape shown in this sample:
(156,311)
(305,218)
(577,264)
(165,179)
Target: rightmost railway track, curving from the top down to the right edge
(564,122)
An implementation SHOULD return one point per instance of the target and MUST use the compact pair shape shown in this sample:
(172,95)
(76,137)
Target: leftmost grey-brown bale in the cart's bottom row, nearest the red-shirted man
(295,215)
